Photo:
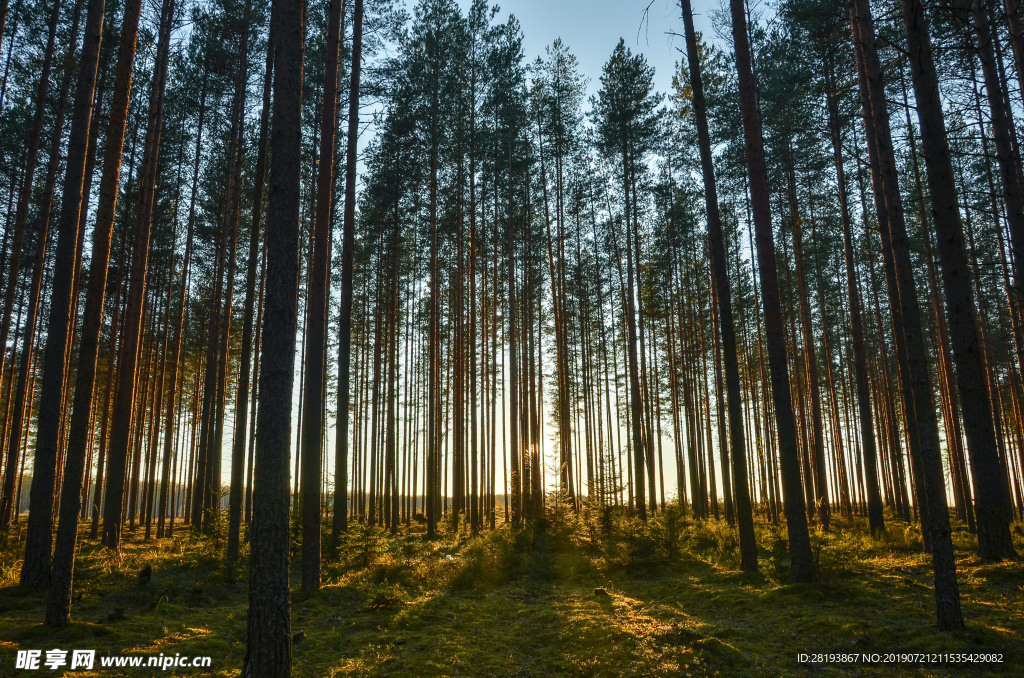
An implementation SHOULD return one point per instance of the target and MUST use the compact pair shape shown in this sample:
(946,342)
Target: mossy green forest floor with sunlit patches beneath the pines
(609,598)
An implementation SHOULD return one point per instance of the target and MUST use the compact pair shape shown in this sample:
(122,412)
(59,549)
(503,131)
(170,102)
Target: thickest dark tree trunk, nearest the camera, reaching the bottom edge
(269,641)
